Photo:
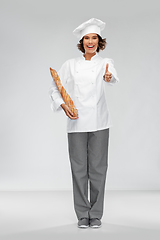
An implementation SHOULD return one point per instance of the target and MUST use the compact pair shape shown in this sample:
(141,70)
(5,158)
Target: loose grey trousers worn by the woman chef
(88,152)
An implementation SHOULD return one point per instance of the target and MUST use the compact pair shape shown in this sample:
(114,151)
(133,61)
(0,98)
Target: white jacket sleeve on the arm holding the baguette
(55,97)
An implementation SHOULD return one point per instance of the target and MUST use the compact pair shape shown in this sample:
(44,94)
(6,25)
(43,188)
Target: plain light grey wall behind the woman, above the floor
(36,35)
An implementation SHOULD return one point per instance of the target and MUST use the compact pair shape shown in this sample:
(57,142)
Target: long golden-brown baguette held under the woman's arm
(66,98)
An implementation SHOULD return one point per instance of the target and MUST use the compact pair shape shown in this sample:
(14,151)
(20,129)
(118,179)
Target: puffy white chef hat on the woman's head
(93,25)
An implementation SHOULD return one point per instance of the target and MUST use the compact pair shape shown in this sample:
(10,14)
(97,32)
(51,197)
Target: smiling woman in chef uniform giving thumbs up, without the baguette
(84,78)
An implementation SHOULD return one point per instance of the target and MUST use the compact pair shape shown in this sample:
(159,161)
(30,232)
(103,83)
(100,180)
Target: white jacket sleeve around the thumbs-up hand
(112,70)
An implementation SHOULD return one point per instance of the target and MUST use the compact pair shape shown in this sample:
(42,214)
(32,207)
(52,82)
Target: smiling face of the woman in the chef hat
(90,43)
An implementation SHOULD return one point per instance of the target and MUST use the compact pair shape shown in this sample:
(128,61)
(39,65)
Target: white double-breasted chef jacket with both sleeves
(83,81)
